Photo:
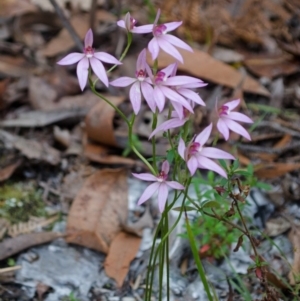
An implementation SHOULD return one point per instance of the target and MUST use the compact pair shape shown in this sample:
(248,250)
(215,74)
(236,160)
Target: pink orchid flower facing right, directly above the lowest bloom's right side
(198,156)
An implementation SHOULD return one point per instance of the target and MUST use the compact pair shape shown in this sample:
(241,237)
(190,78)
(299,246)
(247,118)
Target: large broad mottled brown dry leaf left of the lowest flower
(99,210)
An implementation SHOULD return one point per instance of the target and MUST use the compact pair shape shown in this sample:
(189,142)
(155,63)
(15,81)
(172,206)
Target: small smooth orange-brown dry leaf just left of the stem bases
(122,251)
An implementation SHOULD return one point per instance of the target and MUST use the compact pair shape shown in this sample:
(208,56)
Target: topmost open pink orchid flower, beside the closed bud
(161,39)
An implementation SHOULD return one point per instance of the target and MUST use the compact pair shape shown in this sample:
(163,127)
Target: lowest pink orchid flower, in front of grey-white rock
(160,185)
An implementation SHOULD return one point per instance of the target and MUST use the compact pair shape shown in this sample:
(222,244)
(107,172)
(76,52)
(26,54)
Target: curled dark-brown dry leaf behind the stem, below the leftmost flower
(99,122)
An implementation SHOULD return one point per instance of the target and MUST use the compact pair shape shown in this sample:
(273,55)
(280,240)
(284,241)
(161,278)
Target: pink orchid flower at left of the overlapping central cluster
(139,87)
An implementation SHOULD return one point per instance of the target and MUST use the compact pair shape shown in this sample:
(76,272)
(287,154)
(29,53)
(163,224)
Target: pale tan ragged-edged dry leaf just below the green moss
(32,224)
